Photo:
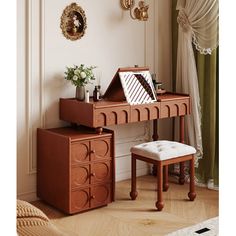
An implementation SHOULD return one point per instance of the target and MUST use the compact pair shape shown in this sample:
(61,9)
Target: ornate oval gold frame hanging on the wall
(73,22)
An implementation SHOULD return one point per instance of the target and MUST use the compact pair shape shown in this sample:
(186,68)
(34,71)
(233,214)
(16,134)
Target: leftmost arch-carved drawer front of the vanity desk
(111,116)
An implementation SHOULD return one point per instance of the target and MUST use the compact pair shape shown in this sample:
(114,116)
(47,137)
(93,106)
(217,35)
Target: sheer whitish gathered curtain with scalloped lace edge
(198,25)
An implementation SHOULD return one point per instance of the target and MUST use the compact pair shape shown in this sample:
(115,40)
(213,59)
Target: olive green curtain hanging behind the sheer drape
(208,77)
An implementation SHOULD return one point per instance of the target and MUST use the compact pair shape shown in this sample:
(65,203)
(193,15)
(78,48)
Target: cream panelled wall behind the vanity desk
(111,40)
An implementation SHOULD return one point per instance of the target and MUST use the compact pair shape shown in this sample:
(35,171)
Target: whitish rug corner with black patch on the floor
(206,228)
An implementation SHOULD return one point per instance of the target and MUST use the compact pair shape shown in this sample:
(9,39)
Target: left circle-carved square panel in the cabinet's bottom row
(79,200)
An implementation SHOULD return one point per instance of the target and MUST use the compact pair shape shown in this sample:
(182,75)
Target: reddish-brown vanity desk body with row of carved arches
(105,113)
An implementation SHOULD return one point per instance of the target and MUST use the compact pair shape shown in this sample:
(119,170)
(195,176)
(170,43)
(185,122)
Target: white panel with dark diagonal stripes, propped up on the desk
(138,87)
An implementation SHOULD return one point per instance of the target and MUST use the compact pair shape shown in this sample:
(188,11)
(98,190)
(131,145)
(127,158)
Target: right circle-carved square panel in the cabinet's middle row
(100,172)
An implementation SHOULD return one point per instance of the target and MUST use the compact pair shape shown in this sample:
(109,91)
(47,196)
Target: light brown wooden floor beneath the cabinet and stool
(125,217)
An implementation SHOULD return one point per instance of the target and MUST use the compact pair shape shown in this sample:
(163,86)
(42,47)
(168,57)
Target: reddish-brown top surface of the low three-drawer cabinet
(78,133)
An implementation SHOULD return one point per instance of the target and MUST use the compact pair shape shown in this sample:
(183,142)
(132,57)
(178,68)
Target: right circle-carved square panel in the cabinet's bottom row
(100,195)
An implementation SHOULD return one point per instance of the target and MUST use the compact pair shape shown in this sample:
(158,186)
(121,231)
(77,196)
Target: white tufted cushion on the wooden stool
(162,150)
